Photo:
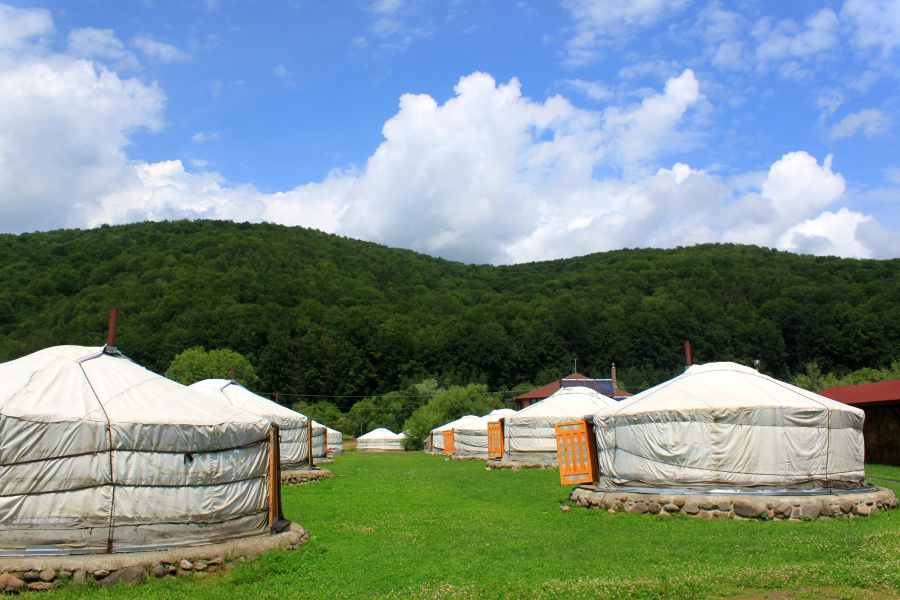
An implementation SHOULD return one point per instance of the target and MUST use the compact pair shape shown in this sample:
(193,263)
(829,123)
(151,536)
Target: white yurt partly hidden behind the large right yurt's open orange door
(530,434)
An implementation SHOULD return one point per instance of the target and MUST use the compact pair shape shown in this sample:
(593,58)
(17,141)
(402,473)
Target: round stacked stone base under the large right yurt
(740,506)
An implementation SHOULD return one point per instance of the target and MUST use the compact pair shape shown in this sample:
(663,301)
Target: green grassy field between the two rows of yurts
(416,526)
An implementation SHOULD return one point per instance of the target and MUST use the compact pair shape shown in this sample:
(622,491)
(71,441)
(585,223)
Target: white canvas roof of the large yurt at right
(743,392)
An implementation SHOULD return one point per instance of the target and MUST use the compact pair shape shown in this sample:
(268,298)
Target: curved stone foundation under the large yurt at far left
(46,572)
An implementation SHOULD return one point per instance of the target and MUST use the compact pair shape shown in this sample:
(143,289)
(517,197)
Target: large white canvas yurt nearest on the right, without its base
(723,426)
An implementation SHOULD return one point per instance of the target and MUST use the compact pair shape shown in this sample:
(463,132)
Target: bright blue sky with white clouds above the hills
(478,131)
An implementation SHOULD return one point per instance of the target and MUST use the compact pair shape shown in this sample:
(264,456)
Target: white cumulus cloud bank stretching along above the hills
(488,176)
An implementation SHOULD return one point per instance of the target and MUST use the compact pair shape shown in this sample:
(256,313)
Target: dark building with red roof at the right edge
(881,403)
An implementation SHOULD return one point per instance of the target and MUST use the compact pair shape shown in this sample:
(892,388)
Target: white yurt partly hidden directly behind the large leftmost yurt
(293,427)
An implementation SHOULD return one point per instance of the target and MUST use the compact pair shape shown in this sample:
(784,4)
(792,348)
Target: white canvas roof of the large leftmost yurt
(73,383)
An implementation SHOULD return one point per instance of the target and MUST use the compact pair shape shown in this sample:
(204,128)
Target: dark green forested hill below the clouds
(321,314)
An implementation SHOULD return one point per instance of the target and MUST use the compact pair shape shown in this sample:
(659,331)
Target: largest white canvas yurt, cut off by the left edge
(102,455)
